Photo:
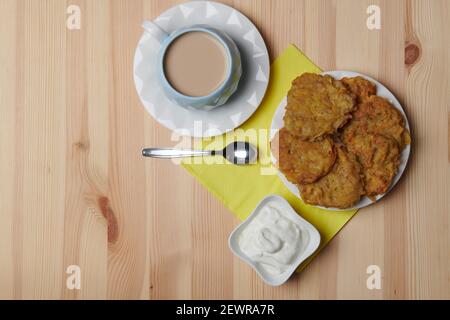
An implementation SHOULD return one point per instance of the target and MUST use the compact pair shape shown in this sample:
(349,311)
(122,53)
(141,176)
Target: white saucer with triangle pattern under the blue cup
(252,86)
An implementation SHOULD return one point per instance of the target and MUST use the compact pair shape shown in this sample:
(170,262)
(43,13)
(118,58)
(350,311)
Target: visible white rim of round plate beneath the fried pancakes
(382,91)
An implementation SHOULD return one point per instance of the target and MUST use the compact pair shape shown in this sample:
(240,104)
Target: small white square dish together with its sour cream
(274,240)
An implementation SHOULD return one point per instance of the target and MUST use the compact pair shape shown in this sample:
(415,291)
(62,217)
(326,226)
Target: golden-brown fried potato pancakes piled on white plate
(340,141)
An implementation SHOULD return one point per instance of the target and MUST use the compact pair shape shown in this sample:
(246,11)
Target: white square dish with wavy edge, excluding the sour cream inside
(288,212)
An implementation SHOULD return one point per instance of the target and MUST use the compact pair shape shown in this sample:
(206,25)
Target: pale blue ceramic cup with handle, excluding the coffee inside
(213,99)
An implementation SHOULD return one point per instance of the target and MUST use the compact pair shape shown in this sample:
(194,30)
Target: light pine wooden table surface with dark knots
(75,190)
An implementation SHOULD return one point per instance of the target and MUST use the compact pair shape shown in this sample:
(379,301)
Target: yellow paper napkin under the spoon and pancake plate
(241,188)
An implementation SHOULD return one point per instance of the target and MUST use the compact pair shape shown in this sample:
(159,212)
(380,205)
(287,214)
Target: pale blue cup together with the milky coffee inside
(199,67)
